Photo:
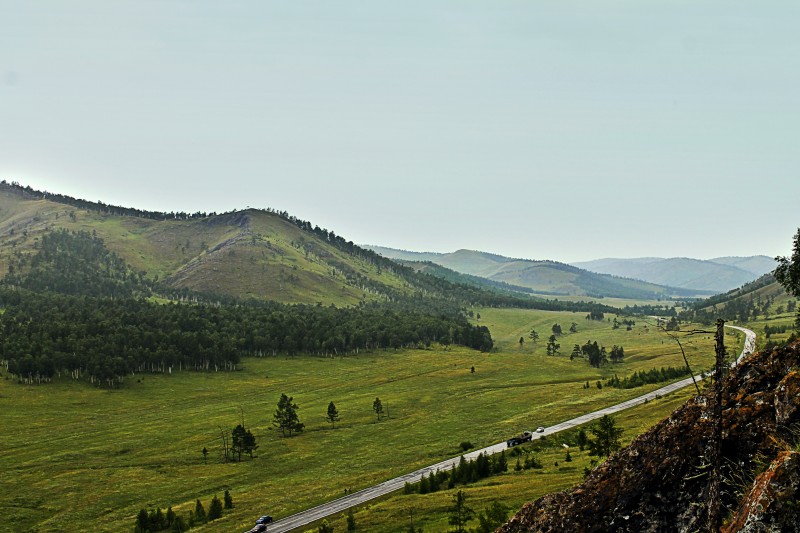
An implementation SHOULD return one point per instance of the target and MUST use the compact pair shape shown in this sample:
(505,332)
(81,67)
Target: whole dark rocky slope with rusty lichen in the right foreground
(659,482)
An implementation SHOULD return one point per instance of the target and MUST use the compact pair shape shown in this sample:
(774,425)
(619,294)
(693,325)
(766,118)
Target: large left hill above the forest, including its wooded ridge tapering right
(253,254)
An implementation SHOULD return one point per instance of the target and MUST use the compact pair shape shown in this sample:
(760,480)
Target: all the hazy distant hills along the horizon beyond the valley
(551,277)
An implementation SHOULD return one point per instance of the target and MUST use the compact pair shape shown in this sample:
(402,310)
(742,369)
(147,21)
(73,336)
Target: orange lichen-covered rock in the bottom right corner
(772,504)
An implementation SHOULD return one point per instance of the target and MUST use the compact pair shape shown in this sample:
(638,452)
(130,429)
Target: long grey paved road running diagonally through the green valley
(308,516)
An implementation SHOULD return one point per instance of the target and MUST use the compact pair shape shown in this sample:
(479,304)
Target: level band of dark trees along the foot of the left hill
(104,340)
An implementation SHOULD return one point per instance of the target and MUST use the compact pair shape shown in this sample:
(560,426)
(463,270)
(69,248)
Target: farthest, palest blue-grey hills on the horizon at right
(716,275)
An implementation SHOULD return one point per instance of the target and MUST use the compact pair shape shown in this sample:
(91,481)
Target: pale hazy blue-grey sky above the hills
(539,129)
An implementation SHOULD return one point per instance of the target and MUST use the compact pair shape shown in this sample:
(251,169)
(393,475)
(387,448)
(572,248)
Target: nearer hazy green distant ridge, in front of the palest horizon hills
(542,277)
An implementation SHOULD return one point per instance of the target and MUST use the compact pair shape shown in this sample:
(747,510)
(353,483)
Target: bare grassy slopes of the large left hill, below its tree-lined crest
(246,254)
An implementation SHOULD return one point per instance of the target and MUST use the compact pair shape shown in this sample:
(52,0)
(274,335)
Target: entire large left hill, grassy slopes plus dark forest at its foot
(81,281)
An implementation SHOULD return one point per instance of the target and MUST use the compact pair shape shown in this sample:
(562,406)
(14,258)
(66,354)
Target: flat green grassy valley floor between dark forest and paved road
(79,458)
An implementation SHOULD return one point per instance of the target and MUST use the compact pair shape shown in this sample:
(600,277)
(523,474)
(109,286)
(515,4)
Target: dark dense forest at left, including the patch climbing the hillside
(75,308)
